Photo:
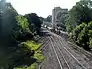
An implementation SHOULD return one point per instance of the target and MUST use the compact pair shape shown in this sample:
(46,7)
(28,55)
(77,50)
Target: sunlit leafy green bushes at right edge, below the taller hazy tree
(82,35)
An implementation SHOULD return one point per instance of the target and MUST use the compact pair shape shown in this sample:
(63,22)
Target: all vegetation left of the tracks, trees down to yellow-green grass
(18,43)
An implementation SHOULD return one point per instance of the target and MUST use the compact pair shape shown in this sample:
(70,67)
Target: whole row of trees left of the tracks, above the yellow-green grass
(14,26)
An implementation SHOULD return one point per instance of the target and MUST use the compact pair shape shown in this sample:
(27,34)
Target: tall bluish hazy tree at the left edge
(8,22)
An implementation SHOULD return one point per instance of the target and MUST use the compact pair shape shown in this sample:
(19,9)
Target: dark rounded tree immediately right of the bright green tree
(34,22)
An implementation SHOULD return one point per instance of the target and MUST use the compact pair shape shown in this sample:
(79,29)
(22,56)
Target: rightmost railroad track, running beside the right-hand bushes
(82,57)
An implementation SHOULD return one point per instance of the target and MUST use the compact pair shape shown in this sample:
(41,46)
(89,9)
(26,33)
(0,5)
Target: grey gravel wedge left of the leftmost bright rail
(51,57)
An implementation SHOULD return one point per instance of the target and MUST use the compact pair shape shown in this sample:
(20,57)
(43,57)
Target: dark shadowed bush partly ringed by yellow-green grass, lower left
(20,56)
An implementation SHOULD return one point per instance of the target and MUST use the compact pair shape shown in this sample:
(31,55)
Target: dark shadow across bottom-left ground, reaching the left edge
(18,58)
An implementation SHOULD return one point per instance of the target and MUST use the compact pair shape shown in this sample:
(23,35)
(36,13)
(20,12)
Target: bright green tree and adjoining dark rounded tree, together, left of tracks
(29,26)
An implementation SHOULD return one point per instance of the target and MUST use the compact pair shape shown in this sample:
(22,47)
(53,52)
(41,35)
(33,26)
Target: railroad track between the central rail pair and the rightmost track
(71,61)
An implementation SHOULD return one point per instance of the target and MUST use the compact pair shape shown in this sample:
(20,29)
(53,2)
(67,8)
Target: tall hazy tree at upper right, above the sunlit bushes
(81,12)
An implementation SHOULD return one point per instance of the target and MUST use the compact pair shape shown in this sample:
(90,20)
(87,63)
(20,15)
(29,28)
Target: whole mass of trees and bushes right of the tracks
(79,23)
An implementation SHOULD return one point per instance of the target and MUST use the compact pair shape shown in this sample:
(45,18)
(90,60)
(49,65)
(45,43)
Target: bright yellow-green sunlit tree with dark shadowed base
(24,32)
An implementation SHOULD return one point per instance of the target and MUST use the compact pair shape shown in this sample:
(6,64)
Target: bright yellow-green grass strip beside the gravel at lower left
(37,55)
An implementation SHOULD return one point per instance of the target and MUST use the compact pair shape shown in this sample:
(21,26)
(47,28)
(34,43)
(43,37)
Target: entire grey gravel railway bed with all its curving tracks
(60,54)
